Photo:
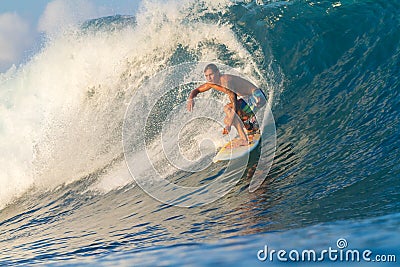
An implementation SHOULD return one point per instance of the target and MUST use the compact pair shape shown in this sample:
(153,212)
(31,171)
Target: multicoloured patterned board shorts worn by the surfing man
(247,108)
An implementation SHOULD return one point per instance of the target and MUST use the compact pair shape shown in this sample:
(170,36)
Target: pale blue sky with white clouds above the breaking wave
(23,23)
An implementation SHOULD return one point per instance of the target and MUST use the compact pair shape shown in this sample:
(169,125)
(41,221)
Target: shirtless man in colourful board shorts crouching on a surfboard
(233,86)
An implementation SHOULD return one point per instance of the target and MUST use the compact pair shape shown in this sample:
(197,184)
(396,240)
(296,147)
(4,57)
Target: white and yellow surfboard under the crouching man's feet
(228,153)
